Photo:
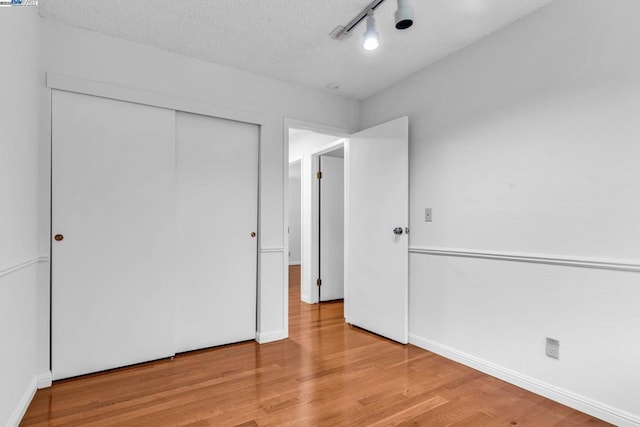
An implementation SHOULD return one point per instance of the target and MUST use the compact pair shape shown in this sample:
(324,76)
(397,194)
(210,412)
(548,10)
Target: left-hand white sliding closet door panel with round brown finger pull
(113,174)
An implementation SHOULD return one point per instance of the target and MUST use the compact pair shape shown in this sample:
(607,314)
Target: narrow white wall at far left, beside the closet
(18,209)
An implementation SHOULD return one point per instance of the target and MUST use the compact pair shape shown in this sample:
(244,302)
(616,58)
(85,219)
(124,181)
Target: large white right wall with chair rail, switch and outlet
(527,142)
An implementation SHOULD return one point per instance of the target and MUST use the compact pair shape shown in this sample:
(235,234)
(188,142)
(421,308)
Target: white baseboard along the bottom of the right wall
(597,409)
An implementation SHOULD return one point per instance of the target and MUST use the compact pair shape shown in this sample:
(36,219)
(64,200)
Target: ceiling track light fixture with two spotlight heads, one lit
(403,20)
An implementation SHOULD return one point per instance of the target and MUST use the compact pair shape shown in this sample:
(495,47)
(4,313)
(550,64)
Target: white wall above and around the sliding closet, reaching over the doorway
(88,55)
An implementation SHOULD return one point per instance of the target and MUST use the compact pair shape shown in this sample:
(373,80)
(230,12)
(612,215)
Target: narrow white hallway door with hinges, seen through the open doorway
(331,228)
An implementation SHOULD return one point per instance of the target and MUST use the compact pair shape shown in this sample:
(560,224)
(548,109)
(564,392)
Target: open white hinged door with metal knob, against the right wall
(377,197)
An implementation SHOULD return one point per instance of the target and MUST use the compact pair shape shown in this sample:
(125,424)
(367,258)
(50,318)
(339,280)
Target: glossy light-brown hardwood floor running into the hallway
(326,373)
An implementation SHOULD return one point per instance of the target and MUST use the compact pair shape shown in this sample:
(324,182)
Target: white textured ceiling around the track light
(289,39)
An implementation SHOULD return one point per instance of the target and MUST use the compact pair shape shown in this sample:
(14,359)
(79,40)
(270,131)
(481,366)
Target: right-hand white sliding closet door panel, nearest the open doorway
(217,196)
